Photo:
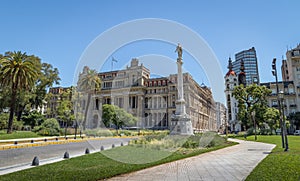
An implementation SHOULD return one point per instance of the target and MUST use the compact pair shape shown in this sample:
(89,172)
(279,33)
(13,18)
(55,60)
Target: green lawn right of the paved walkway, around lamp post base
(278,165)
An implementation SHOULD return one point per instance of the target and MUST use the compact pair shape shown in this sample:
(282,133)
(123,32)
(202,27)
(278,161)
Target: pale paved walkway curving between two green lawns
(231,163)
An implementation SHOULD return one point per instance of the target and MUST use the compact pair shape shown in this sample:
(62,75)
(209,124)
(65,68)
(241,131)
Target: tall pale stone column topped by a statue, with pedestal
(180,121)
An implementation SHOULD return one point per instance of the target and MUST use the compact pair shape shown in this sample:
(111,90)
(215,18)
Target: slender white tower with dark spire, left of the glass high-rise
(231,80)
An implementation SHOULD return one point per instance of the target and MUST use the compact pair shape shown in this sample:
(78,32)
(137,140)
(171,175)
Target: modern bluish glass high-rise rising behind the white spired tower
(250,64)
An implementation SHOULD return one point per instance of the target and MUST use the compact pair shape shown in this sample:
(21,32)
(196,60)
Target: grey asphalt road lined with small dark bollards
(24,156)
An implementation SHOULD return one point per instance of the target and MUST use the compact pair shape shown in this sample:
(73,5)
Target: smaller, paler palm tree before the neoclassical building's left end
(89,83)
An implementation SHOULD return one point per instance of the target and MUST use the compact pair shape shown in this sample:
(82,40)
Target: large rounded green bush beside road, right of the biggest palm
(50,127)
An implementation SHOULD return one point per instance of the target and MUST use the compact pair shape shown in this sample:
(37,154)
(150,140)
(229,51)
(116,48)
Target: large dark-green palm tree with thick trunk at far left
(18,71)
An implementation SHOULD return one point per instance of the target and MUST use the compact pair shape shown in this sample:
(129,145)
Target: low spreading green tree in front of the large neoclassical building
(113,115)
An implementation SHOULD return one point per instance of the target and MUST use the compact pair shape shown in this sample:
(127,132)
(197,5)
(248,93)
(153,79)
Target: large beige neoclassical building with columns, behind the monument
(151,100)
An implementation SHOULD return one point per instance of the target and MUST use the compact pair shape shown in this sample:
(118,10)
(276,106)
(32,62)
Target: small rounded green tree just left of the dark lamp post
(271,117)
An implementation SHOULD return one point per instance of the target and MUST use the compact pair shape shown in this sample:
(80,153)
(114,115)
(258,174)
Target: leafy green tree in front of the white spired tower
(250,98)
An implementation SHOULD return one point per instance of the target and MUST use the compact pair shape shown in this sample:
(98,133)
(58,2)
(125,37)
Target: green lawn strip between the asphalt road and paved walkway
(99,165)
